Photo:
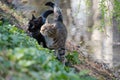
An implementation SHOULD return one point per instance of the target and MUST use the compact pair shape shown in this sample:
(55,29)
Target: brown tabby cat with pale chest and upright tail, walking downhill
(55,34)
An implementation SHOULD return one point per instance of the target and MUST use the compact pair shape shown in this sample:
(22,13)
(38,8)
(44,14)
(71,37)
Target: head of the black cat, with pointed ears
(35,24)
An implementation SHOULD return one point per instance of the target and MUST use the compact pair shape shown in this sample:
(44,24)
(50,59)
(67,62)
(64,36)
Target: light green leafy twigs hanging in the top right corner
(111,8)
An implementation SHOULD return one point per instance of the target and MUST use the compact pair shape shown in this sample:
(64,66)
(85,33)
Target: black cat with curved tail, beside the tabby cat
(35,24)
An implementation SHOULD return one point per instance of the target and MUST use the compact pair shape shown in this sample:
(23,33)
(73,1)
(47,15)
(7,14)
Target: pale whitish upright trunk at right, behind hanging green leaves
(102,41)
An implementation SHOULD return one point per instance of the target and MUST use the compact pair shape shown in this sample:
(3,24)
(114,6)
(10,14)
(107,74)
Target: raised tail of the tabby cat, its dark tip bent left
(57,11)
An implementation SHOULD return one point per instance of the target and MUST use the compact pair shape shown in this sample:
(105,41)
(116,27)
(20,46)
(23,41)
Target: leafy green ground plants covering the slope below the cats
(21,58)
